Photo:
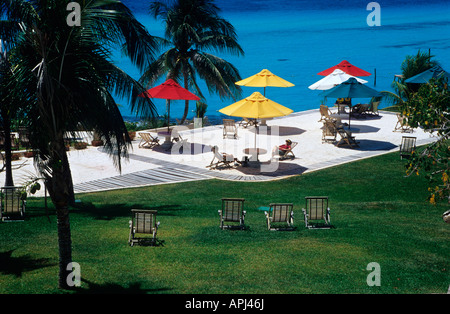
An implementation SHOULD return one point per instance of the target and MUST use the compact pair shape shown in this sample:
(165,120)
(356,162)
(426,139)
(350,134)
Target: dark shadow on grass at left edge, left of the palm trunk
(16,266)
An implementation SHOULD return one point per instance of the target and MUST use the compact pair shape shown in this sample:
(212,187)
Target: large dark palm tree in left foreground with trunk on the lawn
(68,77)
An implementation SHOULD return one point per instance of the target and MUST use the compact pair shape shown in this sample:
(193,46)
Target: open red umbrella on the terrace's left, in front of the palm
(169,90)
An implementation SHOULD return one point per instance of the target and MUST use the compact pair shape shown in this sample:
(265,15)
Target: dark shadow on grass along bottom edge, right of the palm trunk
(113,288)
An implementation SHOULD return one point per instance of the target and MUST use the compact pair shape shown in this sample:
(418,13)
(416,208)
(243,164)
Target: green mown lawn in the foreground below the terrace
(379,216)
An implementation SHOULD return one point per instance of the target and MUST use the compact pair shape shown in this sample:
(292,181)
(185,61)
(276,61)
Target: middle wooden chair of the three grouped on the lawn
(280,213)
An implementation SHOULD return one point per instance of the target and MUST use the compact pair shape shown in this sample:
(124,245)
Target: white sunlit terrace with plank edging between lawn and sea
(93,170)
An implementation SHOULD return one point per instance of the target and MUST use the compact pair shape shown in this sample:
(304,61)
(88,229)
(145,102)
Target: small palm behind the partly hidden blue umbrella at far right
(411,66)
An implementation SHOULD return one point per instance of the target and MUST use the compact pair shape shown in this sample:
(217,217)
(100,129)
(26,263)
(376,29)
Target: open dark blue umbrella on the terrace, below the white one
(351,89)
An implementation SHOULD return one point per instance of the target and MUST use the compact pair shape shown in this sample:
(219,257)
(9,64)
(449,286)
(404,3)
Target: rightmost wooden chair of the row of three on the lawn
(317,210)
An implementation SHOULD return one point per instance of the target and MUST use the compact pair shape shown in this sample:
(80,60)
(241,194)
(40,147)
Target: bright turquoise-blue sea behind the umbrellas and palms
(297,39)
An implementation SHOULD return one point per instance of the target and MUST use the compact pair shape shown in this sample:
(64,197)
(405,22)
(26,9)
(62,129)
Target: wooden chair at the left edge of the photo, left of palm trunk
(12,205)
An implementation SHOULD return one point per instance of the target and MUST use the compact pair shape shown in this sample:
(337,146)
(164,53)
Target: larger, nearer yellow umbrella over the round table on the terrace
(256,106)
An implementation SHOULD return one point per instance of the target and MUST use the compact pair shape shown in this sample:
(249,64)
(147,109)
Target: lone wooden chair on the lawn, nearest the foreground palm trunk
(143,222)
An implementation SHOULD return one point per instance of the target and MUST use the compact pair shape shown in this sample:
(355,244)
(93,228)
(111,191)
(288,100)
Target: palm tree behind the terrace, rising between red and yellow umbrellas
(193,29)
